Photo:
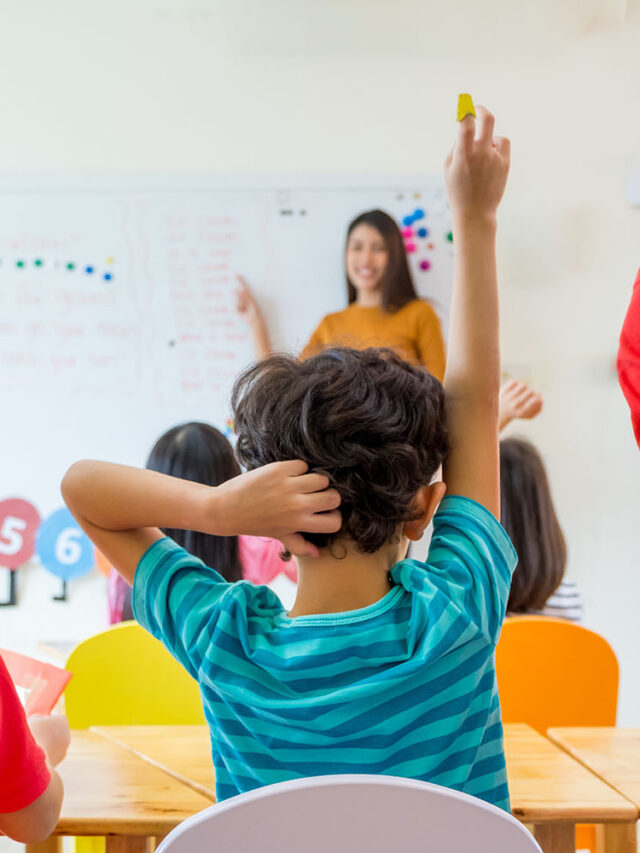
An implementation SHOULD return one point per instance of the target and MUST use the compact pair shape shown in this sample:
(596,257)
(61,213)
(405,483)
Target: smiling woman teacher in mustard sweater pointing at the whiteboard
(383,307)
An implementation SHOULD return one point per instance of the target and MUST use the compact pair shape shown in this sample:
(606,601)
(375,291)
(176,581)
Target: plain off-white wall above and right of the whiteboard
(354,86)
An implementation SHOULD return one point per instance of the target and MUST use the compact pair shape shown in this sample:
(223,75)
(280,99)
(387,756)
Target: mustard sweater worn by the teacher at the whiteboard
(413,332)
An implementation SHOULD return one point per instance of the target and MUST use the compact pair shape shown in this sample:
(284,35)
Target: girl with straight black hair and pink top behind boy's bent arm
(199,452)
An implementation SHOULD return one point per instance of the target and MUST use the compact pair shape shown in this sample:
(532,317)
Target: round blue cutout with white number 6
(63,548)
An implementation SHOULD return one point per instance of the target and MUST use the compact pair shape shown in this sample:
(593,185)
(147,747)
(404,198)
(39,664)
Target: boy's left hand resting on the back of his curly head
(278,500)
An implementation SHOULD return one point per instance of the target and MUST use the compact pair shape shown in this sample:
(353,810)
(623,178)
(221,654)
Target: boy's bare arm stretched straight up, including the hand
(476,173)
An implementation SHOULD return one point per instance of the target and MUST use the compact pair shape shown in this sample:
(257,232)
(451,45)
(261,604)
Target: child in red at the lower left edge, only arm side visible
(30,790)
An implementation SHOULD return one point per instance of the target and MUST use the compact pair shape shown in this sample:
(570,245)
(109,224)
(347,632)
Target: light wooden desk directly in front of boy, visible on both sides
(549,790)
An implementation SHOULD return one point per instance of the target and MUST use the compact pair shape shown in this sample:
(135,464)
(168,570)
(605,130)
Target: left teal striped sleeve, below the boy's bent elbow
(178,600)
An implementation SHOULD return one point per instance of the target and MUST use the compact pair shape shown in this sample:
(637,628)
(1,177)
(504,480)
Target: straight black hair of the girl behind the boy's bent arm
(199,452)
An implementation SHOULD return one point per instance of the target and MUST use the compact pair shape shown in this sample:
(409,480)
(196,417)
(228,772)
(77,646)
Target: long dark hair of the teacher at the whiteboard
(397,284)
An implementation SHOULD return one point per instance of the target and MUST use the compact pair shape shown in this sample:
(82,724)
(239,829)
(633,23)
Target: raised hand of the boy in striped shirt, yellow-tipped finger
(476,169)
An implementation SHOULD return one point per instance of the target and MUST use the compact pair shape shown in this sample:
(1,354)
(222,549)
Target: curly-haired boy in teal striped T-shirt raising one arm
(383,665)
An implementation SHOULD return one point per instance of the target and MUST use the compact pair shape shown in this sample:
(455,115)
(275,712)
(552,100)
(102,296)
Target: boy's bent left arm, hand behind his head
(121,509)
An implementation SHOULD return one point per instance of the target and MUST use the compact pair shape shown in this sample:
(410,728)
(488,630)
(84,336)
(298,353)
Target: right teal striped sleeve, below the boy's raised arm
(471,559)
